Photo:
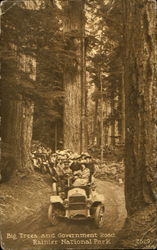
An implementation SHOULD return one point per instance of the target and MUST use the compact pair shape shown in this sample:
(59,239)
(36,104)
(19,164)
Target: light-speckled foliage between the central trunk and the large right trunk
(105,52)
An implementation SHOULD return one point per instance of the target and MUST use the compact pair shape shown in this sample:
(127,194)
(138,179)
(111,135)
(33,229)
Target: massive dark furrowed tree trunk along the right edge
(140,89)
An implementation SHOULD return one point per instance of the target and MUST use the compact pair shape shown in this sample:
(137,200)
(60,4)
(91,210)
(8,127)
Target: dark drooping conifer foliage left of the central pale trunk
(39,44)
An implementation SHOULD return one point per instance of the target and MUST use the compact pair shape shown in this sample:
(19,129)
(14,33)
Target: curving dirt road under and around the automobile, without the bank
(35,232)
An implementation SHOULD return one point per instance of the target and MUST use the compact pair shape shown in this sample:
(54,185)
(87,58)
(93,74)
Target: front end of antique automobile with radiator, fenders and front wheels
(81,202)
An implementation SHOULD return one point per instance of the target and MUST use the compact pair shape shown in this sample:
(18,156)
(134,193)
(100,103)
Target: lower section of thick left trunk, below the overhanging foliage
(17,121)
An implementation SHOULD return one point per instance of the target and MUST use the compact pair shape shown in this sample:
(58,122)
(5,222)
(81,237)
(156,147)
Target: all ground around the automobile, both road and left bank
(24,203)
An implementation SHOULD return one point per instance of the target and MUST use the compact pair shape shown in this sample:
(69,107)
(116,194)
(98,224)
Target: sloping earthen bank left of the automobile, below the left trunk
(23,196)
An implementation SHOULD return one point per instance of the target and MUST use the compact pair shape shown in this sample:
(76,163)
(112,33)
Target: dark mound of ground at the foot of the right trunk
(139,231)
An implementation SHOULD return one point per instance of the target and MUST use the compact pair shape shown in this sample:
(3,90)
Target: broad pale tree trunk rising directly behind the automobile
(75,111)
